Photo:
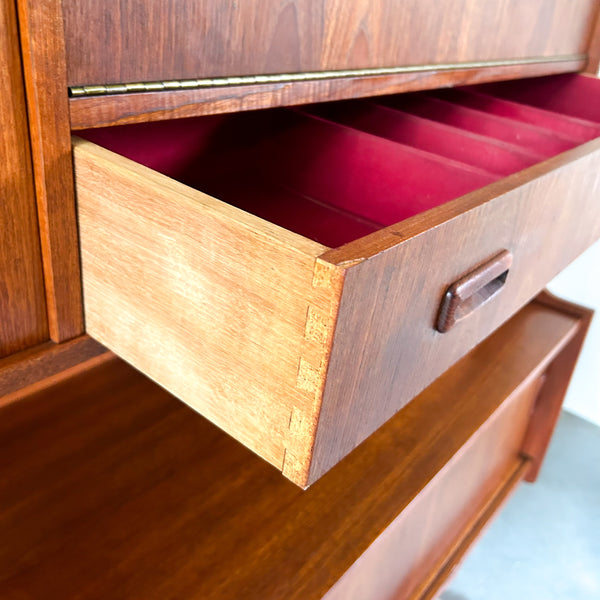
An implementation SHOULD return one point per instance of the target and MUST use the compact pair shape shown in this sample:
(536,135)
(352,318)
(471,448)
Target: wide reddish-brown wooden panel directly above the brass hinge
(134,40)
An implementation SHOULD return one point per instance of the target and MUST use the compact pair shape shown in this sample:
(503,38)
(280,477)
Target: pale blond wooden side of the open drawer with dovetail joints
(229,312)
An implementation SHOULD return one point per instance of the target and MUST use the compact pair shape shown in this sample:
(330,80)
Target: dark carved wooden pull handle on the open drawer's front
(473,290)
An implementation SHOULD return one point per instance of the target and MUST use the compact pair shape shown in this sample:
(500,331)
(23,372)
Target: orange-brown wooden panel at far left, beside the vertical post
(23,320)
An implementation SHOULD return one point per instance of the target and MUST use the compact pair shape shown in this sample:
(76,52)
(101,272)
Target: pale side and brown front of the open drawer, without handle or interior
(243,319)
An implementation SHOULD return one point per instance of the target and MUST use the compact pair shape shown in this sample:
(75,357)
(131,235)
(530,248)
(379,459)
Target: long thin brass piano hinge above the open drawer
(282,78)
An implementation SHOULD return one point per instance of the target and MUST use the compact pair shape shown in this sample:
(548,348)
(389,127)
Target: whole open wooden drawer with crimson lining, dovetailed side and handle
(298,276)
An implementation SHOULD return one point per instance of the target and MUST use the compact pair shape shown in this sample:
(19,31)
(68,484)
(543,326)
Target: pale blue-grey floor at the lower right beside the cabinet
(545,544)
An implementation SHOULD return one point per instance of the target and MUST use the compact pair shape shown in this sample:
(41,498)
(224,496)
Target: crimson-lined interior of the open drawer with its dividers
(336,172)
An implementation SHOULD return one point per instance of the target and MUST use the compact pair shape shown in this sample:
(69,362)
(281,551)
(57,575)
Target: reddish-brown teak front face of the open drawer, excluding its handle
(397,277)
